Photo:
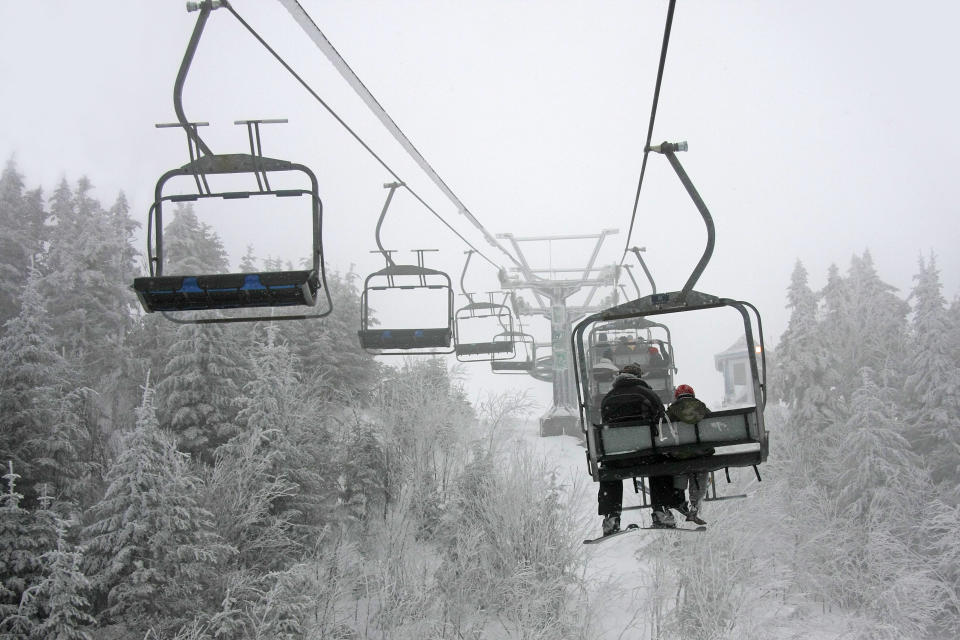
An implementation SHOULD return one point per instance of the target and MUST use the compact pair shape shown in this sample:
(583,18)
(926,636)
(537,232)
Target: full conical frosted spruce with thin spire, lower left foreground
(149,546)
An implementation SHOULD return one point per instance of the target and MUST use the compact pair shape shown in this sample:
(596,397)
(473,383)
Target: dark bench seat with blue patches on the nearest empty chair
(227,291)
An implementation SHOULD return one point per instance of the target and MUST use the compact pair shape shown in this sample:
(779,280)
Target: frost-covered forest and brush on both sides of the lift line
(273,481)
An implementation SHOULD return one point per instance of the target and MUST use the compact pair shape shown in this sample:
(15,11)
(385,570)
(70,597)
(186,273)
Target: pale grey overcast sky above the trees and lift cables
(817,129)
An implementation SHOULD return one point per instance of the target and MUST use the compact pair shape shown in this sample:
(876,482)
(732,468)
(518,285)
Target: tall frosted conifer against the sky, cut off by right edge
(933,384)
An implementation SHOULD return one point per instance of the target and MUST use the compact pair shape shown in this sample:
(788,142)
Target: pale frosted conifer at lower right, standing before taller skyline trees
(881,487)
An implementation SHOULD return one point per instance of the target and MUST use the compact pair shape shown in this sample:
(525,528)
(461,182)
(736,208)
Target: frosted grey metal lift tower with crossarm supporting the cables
(552,289)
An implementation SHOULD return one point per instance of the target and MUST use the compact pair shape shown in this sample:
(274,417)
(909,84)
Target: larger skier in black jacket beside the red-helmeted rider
(632,399)
